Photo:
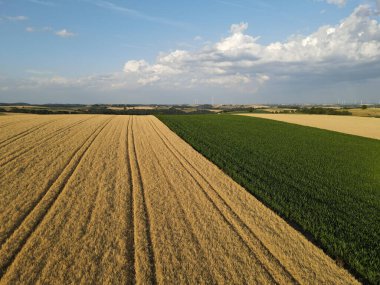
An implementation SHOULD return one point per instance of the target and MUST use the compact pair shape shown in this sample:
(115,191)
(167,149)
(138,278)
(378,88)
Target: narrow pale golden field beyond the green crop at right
(366,127)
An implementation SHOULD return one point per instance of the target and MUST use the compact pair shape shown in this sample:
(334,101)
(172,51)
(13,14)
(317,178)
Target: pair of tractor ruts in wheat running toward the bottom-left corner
(8,253)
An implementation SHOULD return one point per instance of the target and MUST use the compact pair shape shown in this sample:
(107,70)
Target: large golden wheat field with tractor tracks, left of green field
(122,200)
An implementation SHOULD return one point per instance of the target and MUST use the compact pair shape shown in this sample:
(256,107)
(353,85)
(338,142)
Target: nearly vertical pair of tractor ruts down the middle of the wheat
(146,218)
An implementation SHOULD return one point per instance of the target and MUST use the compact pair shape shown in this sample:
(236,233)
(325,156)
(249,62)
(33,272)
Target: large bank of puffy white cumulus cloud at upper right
(340,52)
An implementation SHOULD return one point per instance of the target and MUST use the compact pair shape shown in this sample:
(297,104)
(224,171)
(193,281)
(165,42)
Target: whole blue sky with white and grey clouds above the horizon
(186,52)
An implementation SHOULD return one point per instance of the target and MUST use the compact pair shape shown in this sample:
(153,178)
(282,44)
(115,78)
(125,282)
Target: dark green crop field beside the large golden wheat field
(327,183)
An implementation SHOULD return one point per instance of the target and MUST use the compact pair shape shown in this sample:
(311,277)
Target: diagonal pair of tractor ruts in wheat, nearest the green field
(233,213)
